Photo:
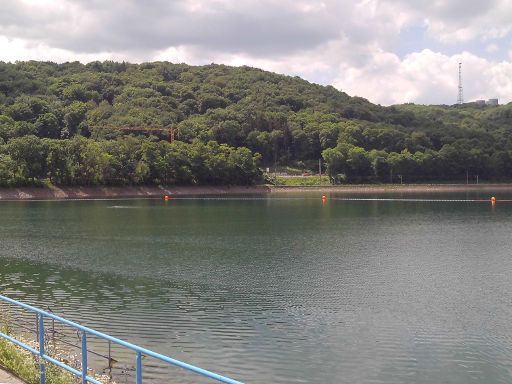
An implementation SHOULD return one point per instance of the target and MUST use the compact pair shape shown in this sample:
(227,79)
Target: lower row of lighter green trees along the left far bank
(31,161)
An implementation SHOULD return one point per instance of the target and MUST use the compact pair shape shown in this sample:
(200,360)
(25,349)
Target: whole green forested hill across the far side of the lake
(84,124)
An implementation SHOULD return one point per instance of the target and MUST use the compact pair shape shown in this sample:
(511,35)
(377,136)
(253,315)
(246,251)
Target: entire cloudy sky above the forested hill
(388,51)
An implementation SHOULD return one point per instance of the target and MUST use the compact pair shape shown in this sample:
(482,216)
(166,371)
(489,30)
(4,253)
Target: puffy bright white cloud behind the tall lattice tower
(430,78)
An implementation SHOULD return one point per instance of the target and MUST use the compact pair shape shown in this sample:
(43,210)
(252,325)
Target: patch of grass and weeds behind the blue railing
(25,365)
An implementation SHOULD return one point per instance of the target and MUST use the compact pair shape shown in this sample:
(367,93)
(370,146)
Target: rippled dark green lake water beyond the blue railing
(279,289)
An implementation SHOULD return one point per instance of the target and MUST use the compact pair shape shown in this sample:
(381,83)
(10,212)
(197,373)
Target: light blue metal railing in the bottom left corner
(84,331)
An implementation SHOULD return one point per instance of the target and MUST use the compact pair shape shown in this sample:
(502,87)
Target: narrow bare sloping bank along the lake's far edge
(101,192)
